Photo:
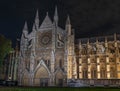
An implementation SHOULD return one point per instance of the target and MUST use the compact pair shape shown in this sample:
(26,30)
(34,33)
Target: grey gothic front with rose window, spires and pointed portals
(44,53)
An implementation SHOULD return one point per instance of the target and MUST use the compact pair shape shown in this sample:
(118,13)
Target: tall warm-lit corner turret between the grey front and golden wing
(70,50)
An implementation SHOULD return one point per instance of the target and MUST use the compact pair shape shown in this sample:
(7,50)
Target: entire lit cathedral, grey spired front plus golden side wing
(50,55)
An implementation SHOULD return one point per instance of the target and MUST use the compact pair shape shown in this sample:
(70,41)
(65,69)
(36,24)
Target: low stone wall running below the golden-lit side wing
(94,82)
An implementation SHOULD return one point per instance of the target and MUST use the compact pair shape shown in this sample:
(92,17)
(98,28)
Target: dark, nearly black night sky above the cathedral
(89,18)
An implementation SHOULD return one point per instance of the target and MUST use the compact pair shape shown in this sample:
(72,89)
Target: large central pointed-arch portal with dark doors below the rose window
(41,77)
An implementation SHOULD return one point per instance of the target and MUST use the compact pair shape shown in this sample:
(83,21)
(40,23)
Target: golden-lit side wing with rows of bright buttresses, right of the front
(98,58)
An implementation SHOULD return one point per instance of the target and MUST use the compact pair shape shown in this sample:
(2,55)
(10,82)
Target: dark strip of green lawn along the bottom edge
(56,89)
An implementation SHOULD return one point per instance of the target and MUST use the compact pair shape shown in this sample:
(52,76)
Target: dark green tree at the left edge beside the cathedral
(5,48)
